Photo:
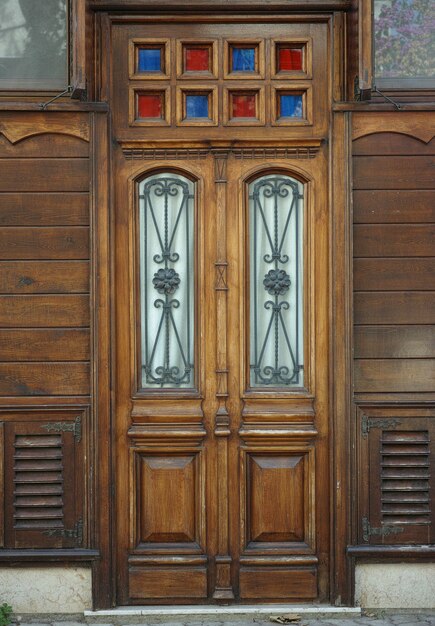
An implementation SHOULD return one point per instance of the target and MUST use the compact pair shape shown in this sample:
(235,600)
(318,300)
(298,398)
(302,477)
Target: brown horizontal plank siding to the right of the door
(394,264)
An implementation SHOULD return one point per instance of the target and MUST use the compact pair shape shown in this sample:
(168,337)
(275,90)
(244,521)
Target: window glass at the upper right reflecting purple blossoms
(404,42)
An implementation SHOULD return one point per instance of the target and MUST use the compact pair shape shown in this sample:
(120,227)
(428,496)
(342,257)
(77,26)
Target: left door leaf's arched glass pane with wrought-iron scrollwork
(166,225)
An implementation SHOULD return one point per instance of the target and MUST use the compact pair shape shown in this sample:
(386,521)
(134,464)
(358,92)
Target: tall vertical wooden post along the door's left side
(100,441)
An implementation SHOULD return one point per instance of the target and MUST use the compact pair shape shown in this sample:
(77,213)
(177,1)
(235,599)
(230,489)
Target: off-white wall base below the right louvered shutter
(395,585)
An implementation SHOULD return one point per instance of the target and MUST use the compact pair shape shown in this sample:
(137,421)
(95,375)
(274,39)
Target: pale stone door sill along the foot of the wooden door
(248,610)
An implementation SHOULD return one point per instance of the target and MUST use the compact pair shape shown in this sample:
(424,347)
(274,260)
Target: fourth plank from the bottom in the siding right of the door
(408,274)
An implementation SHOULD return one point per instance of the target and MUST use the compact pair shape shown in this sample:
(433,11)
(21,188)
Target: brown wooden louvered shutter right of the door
(398,464)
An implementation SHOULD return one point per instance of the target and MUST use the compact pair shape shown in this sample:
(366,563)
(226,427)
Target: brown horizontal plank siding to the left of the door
(44,261)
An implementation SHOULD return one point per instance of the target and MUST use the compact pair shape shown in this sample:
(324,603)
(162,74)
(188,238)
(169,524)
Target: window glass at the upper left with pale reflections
(33,43)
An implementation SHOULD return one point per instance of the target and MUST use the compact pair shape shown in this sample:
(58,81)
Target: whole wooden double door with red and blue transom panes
(221,469)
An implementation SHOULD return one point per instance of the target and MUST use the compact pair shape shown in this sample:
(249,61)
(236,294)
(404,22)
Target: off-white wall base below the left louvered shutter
(46,589)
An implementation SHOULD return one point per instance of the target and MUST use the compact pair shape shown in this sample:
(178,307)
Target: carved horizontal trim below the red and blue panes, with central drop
(154,154)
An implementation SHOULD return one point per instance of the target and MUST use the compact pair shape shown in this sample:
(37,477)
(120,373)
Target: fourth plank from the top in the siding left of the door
(44,243)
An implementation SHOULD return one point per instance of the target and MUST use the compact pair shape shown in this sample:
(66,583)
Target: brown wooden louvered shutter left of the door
(44,482)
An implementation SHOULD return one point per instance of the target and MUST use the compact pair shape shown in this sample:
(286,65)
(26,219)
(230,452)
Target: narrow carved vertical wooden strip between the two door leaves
(223,589)
